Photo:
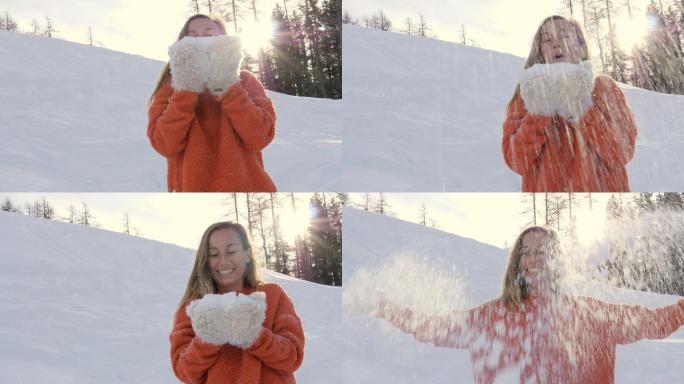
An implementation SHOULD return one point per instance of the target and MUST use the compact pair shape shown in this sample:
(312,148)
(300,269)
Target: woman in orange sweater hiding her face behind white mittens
(209,119)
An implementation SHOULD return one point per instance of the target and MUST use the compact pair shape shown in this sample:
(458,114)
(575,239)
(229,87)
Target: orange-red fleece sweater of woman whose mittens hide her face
(213,145)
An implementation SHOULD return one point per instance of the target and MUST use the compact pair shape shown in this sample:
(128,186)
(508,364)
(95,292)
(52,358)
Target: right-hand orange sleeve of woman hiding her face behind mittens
(250,112)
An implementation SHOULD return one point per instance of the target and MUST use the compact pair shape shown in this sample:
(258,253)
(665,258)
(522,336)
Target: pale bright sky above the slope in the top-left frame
(143,27)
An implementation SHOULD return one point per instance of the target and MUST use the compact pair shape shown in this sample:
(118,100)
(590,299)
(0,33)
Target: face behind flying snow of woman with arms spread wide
(534,261)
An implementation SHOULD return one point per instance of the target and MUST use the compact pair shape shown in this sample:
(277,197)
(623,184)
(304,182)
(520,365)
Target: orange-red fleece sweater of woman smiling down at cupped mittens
(272,359)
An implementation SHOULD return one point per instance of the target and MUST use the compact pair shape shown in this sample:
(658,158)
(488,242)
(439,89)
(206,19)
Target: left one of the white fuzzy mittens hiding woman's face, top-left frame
(189,65)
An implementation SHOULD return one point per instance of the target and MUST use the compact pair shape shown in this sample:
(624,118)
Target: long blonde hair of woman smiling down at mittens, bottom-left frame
(200,282)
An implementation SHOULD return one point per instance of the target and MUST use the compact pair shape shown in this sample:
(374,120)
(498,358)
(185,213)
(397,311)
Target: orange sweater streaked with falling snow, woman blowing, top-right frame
(557,155)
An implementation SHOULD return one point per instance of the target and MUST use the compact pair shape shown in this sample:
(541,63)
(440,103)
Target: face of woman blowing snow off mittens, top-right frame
(559,42)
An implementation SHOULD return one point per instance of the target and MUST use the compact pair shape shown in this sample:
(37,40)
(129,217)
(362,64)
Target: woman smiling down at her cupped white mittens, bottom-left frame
(230,327)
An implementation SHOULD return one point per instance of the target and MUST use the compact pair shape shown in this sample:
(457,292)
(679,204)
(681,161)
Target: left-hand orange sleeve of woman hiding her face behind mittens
(170,117)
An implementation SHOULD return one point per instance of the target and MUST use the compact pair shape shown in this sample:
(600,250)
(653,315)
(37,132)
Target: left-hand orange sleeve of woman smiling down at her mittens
(191,357)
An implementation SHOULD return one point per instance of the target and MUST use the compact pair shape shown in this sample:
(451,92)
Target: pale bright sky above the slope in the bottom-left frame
(171,218)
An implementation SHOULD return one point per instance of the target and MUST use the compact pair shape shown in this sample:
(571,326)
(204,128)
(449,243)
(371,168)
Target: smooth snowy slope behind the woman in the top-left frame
(74,118)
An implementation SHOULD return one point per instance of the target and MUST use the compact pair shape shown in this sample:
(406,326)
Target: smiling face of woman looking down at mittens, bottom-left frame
(227,260)
